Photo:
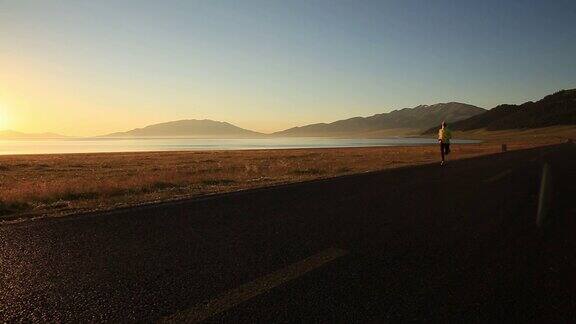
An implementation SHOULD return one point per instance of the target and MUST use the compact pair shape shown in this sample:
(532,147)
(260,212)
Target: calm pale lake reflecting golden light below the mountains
(93,145)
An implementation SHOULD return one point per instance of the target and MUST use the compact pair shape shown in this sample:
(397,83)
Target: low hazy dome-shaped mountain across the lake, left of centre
(189,128)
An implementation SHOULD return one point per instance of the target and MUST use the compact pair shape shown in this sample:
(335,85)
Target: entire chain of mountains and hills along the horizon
(555,109)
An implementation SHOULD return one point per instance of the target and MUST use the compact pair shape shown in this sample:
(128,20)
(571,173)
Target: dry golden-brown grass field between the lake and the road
(48,185)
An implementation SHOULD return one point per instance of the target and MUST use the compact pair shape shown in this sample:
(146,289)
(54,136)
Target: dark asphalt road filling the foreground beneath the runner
(426,243)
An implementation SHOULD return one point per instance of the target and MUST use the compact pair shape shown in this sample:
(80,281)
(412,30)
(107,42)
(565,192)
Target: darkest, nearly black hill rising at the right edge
(555,109)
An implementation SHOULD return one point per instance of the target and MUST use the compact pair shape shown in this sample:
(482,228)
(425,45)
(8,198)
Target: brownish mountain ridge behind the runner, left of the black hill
(397,122)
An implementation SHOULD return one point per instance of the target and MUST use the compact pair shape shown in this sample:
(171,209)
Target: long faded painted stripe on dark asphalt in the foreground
(254,288)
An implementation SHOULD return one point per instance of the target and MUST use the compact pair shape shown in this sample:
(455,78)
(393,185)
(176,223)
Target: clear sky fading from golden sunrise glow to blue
(89,67)
